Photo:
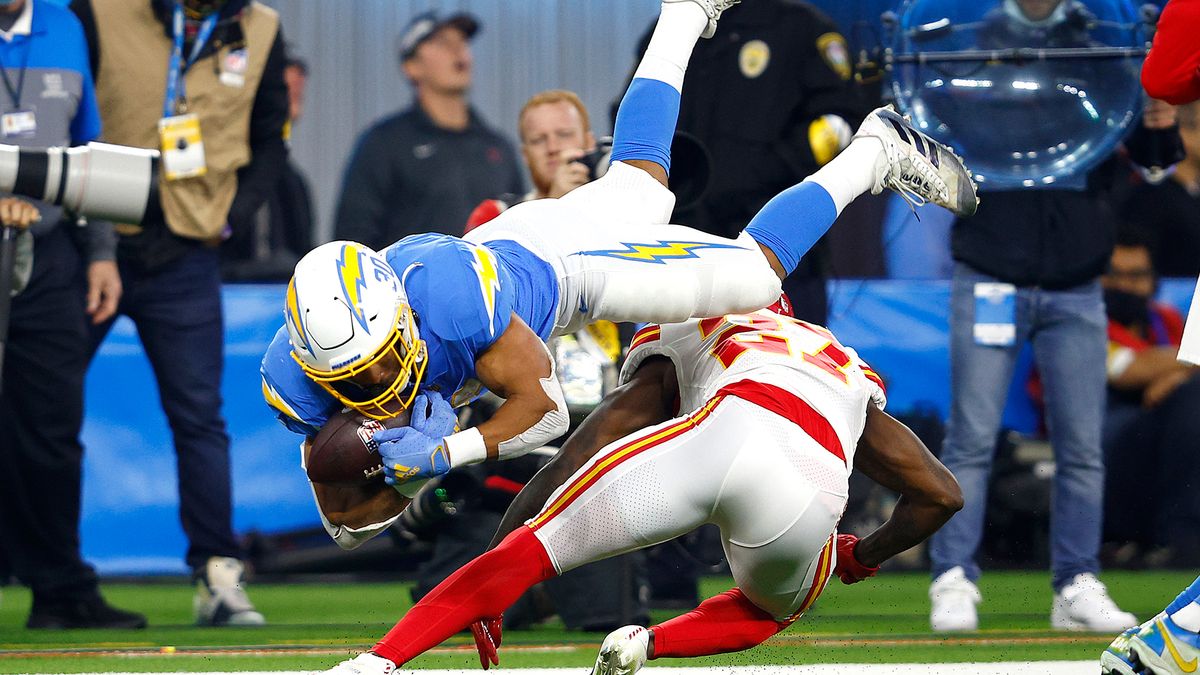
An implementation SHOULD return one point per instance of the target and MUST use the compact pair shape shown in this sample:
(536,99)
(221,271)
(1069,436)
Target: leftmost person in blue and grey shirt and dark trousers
(46,354)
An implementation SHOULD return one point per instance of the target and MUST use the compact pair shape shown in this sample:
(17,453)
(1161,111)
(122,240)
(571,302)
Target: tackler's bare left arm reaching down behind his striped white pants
(647,399)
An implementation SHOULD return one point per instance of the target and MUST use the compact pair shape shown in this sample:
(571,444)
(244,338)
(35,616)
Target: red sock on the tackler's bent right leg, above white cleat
(723,624)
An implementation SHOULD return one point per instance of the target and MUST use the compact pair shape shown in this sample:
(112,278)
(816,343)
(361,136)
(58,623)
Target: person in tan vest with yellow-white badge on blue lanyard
(220,128)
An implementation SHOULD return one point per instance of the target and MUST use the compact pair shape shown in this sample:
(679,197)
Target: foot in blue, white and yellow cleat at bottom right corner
(1168,644)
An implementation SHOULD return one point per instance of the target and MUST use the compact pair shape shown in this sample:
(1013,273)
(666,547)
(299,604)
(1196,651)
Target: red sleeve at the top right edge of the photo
(1172,71)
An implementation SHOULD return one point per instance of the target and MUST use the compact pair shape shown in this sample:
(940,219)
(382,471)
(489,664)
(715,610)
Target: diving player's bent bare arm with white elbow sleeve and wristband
(518,368)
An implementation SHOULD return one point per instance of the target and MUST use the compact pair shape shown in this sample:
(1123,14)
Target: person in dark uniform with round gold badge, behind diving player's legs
(771,98)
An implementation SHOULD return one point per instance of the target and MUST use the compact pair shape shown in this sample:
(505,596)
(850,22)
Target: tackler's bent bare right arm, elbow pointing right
(892,456)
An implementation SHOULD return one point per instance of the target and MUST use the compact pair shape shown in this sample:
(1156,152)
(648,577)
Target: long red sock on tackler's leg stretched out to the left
(484,588)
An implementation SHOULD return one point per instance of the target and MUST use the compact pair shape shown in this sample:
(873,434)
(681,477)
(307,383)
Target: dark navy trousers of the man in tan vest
(178,315)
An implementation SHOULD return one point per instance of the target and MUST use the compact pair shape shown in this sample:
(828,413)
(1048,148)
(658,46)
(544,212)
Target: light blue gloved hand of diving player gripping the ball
(419,451)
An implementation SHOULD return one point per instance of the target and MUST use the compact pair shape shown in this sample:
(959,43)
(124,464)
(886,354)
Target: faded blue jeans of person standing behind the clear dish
(1069,331)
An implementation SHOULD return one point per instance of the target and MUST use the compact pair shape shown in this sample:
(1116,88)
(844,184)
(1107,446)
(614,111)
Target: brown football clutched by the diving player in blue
(345,452)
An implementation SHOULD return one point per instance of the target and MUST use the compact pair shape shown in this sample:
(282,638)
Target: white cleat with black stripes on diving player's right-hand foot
(919,169)
